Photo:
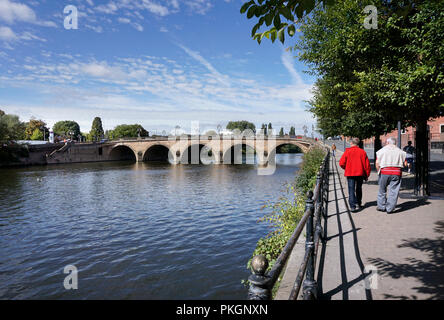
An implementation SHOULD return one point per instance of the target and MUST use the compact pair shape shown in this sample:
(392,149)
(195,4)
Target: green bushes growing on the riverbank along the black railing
(289,209)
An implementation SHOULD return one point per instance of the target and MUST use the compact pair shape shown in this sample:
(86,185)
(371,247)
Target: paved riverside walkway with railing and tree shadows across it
(372,255)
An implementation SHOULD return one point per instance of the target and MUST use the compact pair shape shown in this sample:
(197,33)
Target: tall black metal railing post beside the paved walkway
(310,286)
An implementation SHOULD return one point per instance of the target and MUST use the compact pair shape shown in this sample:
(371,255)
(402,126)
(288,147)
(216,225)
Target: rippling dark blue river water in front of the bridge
(133,230)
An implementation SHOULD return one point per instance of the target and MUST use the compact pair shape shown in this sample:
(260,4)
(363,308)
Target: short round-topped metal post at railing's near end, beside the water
(259,288)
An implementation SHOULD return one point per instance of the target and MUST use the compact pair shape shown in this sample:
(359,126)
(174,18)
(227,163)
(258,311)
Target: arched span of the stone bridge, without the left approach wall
(201,149)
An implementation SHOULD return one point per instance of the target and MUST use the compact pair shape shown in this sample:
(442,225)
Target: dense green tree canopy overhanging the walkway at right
(370,79)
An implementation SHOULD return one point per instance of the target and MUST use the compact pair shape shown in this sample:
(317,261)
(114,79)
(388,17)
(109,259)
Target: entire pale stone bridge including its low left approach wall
(176,150)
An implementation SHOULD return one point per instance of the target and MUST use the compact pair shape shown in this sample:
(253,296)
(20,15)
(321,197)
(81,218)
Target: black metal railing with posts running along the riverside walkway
(261,282)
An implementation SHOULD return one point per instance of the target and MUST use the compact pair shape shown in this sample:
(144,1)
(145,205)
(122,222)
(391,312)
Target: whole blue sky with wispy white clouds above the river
(160,63)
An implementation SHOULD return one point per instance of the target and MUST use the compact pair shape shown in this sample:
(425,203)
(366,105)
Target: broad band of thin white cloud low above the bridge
(160,89)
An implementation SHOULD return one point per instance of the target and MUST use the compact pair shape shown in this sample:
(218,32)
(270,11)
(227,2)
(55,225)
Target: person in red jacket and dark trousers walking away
(357,169)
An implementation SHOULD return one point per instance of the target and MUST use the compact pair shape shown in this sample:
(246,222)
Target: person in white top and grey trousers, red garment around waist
(389,162)
